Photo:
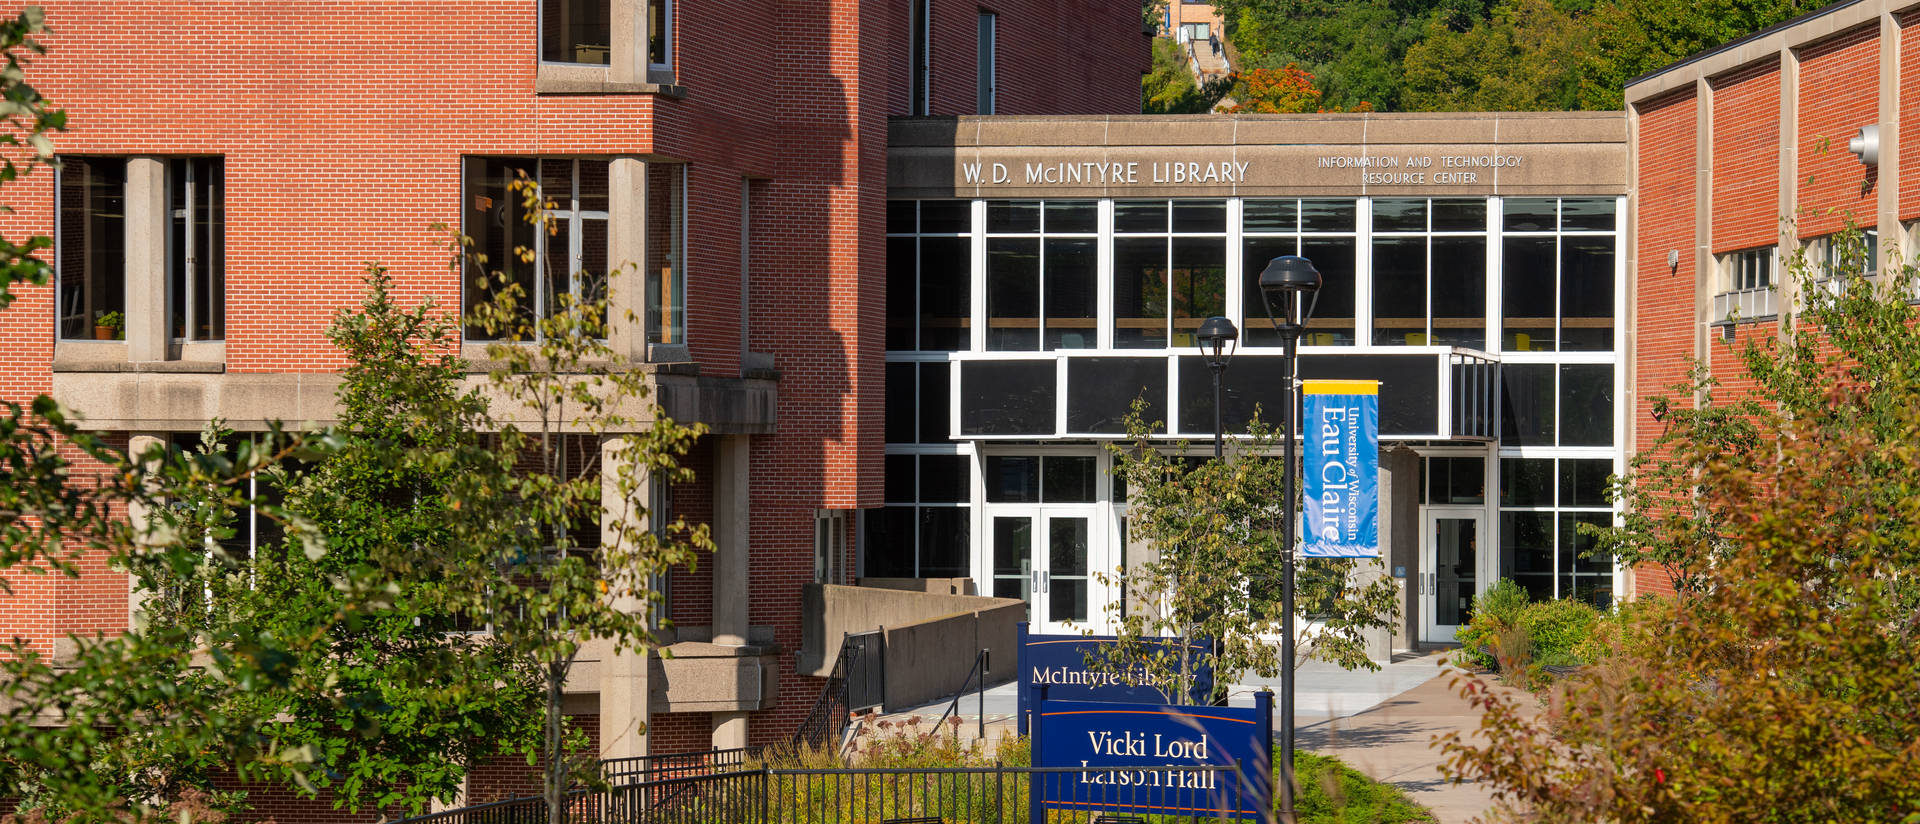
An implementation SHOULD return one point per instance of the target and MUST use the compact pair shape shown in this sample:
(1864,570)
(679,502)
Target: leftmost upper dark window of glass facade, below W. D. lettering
(930,276)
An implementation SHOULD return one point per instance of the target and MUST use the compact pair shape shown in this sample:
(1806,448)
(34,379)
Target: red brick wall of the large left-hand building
(345,124)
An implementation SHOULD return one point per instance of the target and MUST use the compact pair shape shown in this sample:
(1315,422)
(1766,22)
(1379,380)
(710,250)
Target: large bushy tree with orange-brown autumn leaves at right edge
(1777,687)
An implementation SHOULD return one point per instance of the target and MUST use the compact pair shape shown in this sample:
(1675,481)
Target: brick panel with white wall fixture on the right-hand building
(1838,95)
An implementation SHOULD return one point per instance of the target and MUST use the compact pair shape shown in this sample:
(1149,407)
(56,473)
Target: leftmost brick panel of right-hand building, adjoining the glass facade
(1666,299)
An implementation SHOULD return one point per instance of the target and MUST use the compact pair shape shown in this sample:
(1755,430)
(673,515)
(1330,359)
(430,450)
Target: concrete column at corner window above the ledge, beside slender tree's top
(627,237)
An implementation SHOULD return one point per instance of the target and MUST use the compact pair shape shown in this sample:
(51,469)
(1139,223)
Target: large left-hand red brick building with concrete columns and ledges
(229,170)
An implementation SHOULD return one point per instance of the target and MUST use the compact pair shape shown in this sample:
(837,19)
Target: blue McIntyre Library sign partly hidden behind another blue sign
(1061,666)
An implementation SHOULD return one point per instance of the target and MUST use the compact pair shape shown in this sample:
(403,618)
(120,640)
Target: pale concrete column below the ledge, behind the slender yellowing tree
(625,675)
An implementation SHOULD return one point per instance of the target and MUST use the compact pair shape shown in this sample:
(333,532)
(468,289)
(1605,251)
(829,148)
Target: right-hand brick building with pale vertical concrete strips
(1748,155)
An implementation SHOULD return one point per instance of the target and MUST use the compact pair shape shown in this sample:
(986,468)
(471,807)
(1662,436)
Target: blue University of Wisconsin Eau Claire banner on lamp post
(1341,435)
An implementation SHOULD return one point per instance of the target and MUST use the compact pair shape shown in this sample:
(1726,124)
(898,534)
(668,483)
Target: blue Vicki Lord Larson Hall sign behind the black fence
(1153,760)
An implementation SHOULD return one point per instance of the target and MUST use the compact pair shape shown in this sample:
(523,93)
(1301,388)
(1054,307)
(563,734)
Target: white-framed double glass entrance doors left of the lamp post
(1047,560)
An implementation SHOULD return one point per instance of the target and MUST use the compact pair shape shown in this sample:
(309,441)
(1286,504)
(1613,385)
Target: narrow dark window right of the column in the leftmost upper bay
(197,251)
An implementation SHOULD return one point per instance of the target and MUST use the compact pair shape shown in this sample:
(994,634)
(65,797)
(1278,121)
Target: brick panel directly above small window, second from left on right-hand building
(1746,158)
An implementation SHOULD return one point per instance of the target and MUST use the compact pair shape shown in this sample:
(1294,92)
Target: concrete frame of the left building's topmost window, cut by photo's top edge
(631,62)
